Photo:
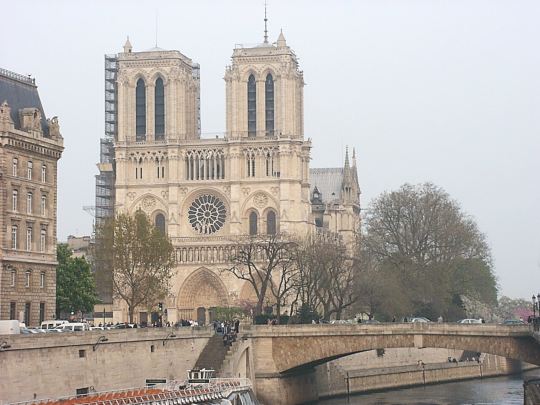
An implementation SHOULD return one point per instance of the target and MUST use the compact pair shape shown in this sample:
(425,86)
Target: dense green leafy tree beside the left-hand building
(75,285)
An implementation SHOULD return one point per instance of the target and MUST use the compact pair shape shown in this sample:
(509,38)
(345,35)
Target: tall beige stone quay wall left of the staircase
(56,365)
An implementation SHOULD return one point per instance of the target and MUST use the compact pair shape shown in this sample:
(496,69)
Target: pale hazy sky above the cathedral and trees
(440,91)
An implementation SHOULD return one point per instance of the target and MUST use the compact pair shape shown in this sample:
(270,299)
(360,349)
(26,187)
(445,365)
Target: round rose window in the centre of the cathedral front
(207,214)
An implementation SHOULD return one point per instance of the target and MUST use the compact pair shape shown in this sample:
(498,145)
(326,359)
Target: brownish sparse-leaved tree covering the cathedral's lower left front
(140,257)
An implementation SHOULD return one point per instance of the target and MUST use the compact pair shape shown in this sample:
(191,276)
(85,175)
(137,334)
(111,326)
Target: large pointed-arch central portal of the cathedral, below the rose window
(202,290)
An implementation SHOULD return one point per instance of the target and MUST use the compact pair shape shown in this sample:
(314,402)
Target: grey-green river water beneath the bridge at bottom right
(489,391)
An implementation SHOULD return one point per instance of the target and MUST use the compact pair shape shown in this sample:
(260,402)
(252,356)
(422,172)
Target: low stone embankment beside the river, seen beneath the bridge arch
(335,379)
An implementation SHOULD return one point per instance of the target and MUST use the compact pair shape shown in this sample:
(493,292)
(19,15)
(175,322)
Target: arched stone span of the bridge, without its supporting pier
(295,348)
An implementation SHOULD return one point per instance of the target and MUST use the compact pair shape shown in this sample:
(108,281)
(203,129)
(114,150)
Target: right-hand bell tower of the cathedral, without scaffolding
(264,88)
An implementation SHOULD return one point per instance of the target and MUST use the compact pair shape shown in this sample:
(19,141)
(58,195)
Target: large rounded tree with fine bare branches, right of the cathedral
(421,254)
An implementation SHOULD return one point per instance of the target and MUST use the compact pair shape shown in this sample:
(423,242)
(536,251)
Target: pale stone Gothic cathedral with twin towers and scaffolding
(255,179)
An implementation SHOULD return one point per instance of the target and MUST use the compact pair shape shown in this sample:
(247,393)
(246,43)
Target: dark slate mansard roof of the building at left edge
(20,92)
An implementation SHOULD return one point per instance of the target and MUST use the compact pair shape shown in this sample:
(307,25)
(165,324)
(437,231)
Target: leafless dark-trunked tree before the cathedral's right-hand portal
(257,259)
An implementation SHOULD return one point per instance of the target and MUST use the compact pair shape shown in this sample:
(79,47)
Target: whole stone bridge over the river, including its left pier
(283,357)
